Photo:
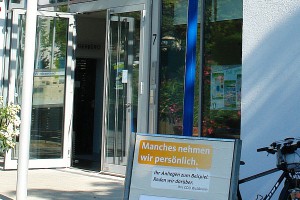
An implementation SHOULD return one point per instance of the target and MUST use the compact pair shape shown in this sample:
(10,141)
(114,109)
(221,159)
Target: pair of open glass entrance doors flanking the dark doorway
(125,93)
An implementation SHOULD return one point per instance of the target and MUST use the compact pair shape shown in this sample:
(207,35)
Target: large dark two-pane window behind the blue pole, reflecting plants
(219,65)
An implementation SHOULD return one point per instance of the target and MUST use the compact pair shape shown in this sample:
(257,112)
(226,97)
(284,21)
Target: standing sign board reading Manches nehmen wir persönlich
(181,168)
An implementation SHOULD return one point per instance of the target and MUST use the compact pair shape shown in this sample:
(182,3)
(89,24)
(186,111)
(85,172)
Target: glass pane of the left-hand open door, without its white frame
(49,89)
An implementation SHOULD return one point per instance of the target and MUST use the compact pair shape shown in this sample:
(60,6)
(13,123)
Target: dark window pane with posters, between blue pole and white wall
(222,69)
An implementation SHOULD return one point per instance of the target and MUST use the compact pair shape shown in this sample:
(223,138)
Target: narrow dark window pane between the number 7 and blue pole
(172,66)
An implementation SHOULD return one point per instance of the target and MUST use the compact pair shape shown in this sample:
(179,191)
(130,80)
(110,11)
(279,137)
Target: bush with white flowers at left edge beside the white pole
(9,125)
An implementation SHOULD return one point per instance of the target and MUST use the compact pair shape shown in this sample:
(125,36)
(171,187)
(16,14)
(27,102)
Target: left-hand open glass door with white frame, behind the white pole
(50,140)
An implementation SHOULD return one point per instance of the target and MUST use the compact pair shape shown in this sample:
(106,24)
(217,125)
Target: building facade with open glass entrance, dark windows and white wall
(107,68)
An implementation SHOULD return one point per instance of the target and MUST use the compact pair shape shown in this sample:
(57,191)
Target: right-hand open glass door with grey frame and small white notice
(123,67)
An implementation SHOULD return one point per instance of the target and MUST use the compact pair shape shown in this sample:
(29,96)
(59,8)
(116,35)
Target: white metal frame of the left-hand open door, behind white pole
(65,161)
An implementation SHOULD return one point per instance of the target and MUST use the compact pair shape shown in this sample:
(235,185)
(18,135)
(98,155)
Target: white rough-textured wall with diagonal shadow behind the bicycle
(270,84)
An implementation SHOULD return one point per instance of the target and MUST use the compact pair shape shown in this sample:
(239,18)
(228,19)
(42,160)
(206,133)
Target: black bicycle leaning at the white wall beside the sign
(288,161)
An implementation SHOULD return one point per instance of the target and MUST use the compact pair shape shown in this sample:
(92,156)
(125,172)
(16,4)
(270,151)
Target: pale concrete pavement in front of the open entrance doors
(63,184)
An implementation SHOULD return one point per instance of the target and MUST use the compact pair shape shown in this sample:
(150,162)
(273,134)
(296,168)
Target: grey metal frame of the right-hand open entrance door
(143,94)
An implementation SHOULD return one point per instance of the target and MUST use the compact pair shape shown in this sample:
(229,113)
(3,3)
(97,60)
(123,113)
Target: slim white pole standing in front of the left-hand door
(28,69)
